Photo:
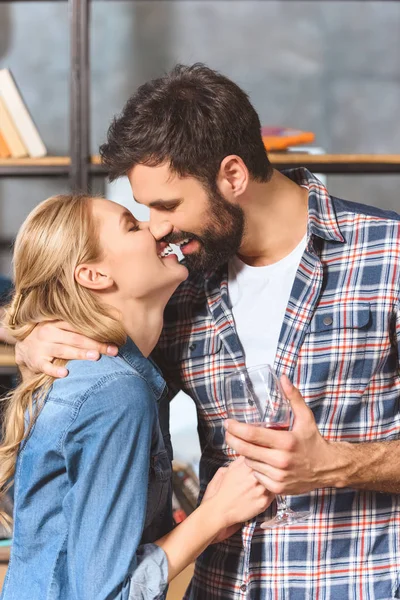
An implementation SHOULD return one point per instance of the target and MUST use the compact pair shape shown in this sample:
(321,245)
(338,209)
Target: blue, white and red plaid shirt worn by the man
(339,344)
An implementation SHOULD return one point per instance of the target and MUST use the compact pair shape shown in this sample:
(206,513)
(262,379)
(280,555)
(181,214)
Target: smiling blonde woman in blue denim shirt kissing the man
(92,476)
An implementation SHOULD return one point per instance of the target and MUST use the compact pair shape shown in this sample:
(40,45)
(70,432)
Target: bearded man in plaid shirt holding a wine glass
(285,274)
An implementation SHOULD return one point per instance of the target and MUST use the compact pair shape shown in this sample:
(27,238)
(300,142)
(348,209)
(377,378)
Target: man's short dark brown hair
(192,118)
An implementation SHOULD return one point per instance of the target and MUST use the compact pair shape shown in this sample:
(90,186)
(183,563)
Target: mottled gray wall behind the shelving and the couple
(332,67)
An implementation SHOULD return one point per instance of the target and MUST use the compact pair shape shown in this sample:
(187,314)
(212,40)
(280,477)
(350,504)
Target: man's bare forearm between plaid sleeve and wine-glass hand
(368,465)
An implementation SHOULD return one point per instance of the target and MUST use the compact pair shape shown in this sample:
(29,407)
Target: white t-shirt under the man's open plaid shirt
(259,297)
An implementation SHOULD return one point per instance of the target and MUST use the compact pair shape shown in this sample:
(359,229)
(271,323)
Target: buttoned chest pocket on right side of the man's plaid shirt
(335,345)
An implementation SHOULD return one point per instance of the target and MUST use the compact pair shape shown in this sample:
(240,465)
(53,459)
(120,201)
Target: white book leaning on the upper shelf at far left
(20,115)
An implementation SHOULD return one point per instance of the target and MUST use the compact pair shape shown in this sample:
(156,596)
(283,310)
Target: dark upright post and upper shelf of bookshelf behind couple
(79,166)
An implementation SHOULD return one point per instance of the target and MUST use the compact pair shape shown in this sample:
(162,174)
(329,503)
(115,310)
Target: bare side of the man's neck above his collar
(276,220)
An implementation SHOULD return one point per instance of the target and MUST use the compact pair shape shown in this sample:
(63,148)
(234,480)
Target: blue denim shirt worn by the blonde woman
(93,488)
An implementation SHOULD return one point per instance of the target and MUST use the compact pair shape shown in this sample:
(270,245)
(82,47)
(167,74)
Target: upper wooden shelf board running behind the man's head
(324,163)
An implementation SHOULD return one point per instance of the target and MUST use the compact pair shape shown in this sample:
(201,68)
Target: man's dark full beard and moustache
(221,238)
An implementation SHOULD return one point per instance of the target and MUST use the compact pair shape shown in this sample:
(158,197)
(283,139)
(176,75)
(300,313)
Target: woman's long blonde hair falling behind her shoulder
(57,236)
